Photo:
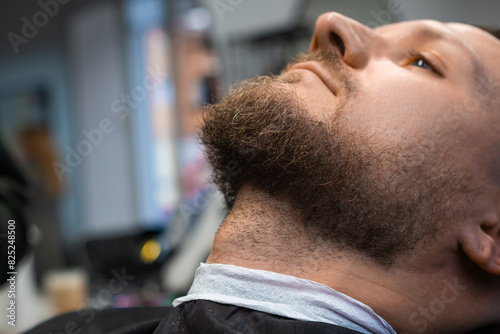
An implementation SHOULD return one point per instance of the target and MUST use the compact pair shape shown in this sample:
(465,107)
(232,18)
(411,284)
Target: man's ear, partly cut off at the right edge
(481,242)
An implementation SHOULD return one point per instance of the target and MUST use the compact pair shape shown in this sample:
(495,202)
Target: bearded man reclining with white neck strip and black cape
(363,188)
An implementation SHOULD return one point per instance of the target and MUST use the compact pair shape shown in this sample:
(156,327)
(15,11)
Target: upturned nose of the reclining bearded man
(353,39)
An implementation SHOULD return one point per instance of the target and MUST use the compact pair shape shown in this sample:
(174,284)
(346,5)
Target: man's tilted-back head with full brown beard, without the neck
(382,139)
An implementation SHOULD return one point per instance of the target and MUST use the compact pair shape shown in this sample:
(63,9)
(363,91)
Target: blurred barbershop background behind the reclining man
(100,167)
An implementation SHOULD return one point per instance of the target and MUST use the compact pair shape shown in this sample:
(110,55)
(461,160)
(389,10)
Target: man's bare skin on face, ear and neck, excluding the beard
(447,97)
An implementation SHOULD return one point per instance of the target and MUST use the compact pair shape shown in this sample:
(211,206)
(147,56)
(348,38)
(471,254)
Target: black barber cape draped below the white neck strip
(201,316)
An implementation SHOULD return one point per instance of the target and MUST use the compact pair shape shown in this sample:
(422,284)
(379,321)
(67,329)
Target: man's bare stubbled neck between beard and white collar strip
(262,232)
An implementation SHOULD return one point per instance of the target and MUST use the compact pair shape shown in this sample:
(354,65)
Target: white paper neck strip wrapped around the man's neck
(282,295)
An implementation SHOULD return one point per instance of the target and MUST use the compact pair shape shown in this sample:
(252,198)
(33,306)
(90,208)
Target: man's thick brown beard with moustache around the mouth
(375,200)
